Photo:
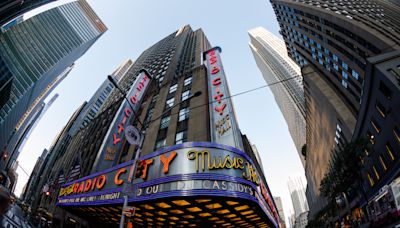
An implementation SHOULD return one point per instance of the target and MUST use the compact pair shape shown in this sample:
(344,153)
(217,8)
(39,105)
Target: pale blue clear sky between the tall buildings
(134,26)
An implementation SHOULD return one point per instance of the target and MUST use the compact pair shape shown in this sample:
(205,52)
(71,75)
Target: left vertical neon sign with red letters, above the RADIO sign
(113,142)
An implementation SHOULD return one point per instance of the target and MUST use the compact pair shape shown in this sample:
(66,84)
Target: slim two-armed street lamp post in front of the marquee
(142,135)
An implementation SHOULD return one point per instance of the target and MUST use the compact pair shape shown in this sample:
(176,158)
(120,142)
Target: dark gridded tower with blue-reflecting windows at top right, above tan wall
(317,33)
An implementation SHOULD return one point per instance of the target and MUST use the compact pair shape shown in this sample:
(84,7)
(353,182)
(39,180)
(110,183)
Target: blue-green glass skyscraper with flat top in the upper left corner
(37,60)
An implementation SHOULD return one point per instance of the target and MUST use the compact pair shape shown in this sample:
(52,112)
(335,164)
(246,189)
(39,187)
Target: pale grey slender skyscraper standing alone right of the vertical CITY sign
(271,57)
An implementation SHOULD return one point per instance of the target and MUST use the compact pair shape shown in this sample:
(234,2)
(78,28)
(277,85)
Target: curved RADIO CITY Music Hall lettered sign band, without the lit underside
(194,168)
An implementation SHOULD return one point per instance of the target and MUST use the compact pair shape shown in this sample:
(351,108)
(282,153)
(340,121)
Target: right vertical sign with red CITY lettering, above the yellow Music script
(224,128)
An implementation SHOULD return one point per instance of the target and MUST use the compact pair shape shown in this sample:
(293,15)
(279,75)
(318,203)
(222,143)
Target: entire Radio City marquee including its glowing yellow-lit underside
(190,184)
